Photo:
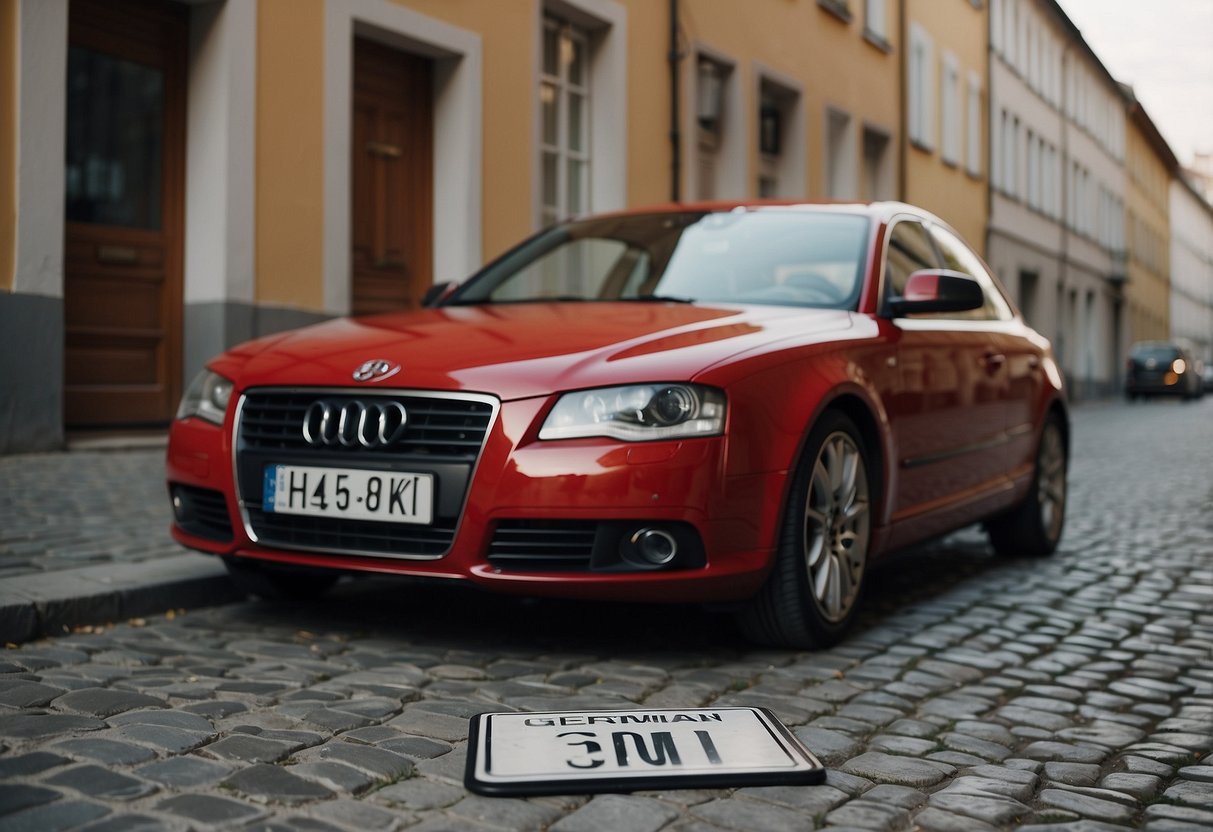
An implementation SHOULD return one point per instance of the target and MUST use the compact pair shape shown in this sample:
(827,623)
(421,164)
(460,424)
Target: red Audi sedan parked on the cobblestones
(716,403)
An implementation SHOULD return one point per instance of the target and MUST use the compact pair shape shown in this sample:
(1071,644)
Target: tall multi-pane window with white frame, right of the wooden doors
(565,104)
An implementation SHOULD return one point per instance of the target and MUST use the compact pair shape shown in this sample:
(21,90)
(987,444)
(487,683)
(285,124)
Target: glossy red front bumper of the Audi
(546,518)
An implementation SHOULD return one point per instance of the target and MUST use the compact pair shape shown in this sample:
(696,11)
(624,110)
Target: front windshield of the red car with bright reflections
(778,258)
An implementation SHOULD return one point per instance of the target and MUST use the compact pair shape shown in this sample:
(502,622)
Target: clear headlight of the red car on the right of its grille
(637,413)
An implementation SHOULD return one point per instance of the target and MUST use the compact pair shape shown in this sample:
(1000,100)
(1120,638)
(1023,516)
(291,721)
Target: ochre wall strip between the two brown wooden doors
(291,155)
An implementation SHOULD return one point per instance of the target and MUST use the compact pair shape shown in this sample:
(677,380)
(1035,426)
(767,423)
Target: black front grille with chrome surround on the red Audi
(443,437)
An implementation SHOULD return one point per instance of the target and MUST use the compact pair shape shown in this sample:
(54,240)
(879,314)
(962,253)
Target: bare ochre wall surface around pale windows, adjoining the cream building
(949,191)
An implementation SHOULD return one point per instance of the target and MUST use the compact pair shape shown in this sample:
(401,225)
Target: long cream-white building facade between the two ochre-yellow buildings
(1057,189)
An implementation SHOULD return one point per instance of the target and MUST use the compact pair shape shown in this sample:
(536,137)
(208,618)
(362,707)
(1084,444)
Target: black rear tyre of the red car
(1034,528)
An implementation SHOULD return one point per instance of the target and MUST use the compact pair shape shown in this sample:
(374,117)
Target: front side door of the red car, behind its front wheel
(948,418)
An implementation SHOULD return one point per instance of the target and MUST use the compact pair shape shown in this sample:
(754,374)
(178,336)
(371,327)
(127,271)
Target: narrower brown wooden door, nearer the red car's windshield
(392,170)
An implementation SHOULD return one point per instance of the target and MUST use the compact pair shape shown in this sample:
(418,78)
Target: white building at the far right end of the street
(1192,270)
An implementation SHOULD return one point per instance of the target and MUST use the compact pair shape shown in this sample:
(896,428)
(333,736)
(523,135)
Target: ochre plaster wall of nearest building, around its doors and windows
(808,48)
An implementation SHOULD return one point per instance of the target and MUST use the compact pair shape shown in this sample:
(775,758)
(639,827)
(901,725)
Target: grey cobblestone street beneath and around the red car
(1070,694)
